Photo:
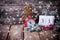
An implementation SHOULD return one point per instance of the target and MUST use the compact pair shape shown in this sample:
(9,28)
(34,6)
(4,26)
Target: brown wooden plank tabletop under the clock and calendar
(16,32)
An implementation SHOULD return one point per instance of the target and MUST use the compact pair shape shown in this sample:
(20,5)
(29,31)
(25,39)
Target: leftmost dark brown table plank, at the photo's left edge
(4,31)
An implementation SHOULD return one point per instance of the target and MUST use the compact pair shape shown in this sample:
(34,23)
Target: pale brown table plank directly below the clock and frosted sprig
(31,35)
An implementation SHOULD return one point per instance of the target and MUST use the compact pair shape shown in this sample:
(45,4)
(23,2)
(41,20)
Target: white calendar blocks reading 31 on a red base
(46,20)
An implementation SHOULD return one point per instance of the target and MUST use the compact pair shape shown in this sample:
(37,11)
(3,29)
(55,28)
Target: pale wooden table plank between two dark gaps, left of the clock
(16,32)
